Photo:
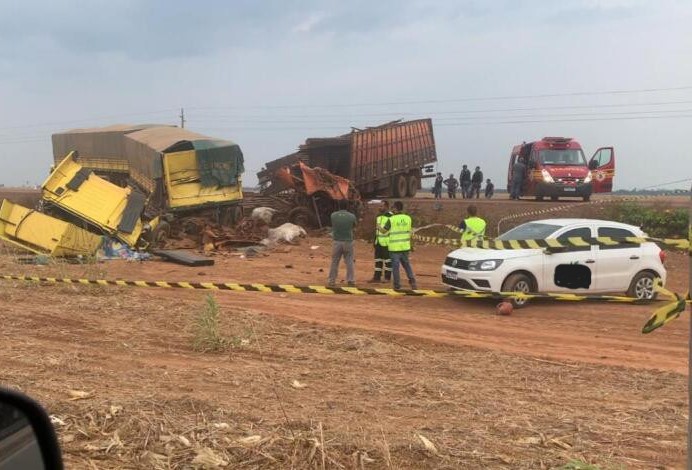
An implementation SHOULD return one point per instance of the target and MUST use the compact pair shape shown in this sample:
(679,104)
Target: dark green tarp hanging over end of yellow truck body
(220,162)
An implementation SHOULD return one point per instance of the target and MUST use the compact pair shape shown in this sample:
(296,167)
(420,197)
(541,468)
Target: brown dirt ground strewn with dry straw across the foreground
(340,382)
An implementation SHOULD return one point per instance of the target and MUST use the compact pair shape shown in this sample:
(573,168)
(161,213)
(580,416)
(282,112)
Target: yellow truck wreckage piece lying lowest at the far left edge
(42,234)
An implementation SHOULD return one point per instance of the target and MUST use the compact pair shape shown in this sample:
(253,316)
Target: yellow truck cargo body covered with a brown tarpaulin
(178,170)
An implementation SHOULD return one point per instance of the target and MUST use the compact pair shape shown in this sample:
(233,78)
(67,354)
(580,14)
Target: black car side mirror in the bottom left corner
(27,438)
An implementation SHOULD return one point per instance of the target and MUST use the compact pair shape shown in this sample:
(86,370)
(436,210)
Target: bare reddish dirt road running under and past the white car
(583,332)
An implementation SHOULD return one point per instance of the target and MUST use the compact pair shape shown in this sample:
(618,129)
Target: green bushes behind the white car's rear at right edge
(657,222)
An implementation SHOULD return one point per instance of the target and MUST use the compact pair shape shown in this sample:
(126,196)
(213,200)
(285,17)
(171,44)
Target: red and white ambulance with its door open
(556,167)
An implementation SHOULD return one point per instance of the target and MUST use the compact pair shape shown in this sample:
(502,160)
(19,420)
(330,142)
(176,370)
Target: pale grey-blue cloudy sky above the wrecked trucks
(267,74)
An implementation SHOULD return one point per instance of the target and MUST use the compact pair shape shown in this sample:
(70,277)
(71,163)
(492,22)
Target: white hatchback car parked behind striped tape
(629,268)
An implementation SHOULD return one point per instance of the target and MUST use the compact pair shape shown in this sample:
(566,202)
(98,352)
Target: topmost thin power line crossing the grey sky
(455,100)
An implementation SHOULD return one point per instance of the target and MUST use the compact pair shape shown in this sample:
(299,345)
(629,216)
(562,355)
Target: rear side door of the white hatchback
(617,264)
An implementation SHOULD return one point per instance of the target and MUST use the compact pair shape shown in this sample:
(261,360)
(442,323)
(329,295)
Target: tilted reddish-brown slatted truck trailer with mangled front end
(385,160)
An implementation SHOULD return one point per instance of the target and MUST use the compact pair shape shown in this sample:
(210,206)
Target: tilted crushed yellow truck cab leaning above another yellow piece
(77,191)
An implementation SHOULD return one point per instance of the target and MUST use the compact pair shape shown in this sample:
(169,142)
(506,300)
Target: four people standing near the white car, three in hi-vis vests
(393,242)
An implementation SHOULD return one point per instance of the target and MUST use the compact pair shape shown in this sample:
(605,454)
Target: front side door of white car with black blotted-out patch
(555,260)
